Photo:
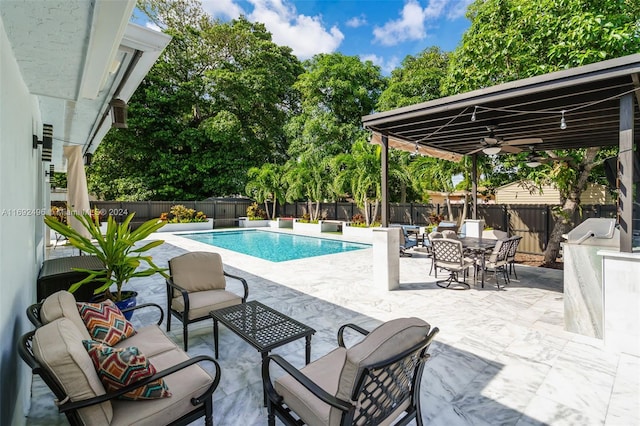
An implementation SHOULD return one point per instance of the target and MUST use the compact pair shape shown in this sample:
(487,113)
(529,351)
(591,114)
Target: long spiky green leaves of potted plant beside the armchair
(116,249)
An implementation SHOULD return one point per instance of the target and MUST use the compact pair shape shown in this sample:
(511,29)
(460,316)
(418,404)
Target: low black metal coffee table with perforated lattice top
(262,327)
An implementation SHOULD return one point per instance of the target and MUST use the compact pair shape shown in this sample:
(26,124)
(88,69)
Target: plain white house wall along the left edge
(21,242)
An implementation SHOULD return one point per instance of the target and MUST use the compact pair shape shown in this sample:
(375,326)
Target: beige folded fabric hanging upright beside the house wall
(77,192)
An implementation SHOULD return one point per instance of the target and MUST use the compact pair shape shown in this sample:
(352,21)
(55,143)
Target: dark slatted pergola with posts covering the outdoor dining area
(582,107)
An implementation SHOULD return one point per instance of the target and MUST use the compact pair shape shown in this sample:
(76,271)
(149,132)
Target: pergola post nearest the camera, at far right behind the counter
(626,171)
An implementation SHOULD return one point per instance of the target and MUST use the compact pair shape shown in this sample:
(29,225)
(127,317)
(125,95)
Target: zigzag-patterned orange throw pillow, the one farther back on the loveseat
(105,322)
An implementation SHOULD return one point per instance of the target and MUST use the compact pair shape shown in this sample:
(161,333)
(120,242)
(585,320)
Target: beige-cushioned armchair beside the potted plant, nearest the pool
(196,287)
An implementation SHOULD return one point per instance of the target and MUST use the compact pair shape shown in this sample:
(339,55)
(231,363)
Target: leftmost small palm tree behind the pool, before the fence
(265,185)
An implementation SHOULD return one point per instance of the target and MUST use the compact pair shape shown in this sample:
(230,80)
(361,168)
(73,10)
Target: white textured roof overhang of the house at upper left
(75,57)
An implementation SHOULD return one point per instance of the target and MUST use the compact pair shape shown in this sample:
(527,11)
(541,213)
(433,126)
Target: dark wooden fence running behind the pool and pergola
(533,223)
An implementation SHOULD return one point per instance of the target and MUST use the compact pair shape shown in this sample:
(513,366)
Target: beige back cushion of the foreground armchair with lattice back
(387,340)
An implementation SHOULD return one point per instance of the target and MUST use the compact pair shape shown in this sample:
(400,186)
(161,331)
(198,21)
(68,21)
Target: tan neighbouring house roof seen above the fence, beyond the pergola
(519,193)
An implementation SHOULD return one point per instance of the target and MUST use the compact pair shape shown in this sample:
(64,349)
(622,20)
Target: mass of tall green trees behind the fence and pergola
(210,119)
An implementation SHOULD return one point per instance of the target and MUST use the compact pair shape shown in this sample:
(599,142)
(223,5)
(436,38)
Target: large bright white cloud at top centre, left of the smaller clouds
(306,35)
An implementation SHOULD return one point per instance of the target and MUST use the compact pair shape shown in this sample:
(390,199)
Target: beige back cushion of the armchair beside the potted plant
(198,271)
